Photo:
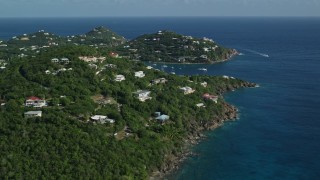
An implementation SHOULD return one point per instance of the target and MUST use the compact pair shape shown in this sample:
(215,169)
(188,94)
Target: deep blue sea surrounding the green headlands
(278,133)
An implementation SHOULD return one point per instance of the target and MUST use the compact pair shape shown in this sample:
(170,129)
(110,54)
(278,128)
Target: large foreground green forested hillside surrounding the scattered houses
(65,144)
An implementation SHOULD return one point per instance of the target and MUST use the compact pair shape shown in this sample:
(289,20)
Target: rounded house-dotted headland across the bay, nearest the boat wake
(167,46)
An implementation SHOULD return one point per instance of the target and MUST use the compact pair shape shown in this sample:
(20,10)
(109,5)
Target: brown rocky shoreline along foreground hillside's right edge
(230,113)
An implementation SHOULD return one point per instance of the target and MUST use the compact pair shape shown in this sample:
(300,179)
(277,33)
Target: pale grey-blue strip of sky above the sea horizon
(111,8)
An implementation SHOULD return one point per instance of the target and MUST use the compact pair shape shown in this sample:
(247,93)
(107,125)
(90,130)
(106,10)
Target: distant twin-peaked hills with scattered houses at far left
(32,44)
